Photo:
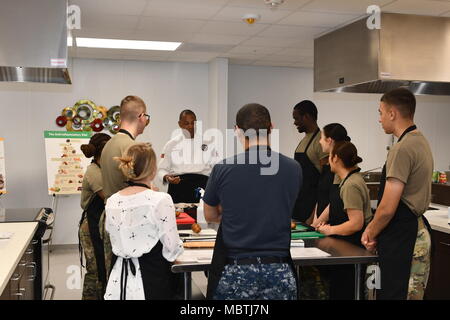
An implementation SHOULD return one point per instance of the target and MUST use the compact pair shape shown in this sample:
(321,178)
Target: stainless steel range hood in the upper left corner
(33,41)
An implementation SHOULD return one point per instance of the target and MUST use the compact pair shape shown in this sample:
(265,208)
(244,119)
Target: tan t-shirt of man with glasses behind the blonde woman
(113,178)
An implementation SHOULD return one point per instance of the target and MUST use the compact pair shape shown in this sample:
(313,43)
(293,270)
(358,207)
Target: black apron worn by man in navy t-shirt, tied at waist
(219,260)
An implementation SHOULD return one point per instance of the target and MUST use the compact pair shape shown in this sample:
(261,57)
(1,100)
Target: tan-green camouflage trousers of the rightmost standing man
(420,266)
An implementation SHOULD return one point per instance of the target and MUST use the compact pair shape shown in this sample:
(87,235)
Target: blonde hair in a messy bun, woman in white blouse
(138,161)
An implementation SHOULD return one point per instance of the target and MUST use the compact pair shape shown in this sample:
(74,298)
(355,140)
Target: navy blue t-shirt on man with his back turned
(257,207)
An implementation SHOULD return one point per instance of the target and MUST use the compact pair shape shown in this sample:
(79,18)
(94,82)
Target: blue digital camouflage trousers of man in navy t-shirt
(274,281)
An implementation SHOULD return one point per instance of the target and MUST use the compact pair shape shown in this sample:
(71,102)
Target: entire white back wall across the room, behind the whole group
(26,110)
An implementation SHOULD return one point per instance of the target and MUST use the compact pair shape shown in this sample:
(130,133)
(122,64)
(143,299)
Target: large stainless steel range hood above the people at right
(408,51)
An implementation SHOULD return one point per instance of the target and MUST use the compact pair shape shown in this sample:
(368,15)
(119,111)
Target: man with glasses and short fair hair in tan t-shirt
(133,120)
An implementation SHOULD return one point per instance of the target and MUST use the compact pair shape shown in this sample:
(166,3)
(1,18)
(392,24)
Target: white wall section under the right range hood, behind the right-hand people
(279,89)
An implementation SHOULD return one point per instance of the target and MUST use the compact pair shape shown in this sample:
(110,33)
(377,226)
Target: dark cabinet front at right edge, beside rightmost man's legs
(439,281)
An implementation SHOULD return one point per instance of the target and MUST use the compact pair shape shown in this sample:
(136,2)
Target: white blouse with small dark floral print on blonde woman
(135,224)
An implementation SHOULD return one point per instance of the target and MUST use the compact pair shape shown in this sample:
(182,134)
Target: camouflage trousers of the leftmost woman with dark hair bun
(92,287)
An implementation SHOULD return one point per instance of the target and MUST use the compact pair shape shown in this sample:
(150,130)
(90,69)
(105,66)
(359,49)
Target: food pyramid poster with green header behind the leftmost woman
(66,163)
